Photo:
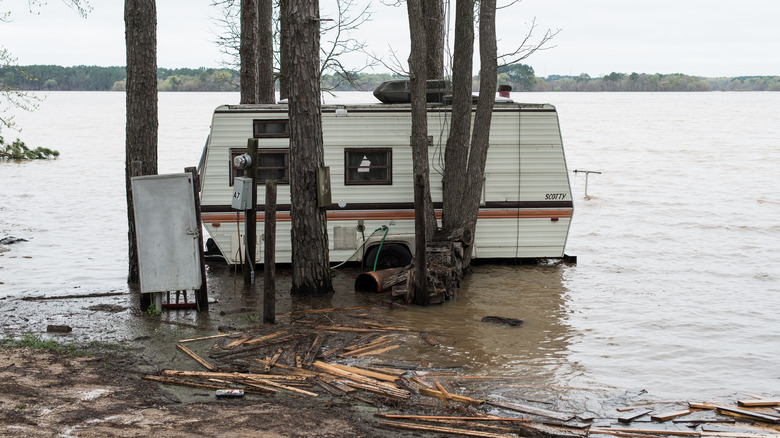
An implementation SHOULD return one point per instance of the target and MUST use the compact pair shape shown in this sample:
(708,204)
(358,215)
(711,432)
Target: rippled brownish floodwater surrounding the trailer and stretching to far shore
(676,290)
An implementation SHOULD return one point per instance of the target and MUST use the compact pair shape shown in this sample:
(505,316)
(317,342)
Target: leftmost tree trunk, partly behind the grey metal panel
(141,125)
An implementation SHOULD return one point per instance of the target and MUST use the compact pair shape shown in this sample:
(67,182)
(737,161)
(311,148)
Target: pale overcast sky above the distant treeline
(710,38)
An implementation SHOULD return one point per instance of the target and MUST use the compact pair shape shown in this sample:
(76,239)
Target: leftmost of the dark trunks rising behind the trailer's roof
(248,52)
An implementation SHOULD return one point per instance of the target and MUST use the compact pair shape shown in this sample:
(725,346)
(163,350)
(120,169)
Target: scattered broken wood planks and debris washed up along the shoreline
(328,352)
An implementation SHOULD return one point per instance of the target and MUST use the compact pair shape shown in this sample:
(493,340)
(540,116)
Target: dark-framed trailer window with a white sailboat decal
(368,166)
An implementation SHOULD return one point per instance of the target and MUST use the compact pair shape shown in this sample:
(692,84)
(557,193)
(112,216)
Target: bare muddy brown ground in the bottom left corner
(48,394)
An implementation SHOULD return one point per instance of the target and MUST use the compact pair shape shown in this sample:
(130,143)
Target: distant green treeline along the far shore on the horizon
(521,77)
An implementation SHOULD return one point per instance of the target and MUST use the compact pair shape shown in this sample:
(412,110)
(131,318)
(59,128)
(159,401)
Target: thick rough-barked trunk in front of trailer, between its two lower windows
(311,267)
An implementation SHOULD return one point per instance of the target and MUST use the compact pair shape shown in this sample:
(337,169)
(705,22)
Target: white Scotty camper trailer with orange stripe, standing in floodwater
(526,206)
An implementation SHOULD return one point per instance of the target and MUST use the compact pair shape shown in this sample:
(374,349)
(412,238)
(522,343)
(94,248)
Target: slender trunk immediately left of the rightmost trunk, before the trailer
(457,152)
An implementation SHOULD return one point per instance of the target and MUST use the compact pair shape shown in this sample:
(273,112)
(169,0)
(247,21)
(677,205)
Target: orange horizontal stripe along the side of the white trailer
(399,215)
